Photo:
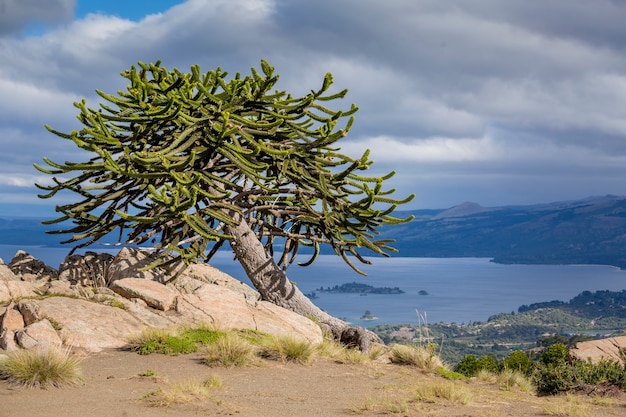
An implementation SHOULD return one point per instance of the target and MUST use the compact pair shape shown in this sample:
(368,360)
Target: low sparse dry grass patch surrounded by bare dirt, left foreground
(182,392)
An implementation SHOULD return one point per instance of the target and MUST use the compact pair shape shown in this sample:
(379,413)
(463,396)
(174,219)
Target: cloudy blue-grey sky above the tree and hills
(495,102)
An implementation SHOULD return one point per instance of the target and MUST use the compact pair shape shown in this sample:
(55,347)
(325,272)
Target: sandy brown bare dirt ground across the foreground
(113,386)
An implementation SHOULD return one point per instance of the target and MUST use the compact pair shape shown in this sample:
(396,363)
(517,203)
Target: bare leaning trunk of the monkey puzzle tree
(274,286)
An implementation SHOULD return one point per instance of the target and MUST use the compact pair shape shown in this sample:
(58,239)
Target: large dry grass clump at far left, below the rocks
(43,368)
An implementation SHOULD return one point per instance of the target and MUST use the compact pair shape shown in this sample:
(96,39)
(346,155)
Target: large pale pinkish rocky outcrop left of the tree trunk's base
(99,301)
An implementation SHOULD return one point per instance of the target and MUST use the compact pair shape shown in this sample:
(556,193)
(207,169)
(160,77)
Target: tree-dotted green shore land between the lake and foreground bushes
(588,315)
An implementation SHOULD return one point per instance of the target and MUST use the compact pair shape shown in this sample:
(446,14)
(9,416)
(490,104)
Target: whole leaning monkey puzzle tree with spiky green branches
(189,161)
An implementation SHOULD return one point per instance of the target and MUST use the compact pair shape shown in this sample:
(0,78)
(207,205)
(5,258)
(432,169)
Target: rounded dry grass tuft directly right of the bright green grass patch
(230,350)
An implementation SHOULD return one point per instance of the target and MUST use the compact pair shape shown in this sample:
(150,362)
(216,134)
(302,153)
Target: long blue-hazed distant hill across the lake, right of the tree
(587,231)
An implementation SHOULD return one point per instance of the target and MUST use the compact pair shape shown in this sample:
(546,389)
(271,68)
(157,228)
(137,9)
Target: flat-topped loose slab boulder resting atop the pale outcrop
(156,295)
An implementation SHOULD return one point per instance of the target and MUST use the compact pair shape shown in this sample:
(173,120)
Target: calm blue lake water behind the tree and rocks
(460,290)
